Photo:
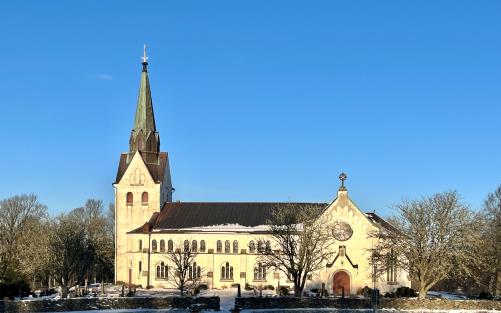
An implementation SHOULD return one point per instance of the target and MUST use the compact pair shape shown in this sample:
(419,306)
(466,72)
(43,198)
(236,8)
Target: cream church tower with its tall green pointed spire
(143,181)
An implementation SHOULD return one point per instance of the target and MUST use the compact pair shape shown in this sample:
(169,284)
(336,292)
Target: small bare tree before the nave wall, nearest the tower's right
(183,271)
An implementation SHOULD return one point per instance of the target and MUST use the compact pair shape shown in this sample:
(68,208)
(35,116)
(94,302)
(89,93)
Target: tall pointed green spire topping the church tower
(144,136)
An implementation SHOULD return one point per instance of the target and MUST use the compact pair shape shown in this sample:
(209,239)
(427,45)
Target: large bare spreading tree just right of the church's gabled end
(430,238)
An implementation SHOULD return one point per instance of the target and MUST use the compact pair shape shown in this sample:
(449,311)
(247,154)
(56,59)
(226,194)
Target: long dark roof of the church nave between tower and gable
(182,215)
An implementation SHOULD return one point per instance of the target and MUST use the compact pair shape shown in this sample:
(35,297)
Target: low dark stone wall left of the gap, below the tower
(84,304)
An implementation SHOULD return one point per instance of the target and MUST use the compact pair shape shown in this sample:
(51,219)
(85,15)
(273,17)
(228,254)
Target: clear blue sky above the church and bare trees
(255,100)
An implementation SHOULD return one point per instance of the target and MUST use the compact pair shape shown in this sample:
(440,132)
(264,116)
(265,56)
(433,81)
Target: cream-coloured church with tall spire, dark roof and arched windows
(149,224)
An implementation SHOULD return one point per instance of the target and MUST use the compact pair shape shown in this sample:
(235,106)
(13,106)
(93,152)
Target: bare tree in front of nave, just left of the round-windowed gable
(300,243)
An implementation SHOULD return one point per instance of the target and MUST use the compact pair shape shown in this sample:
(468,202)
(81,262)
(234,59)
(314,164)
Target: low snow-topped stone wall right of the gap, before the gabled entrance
(398,304)
